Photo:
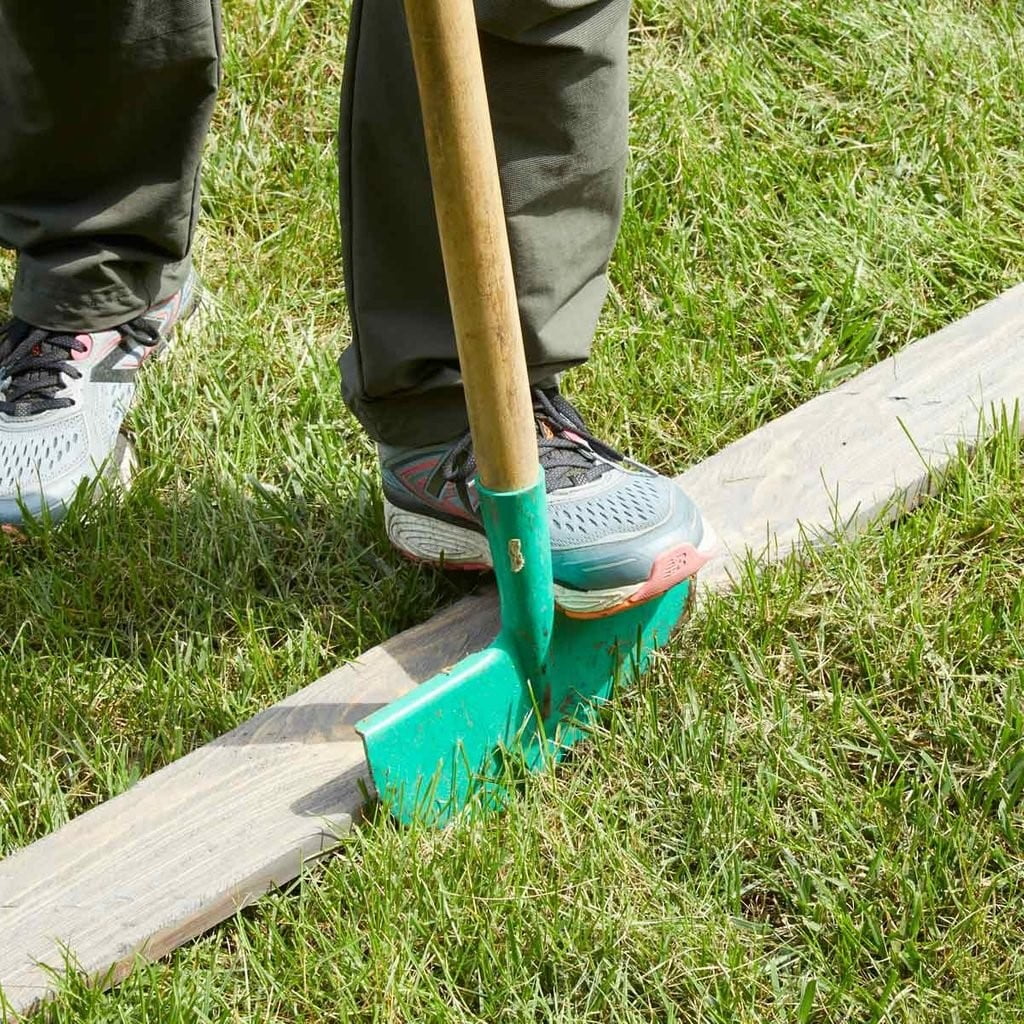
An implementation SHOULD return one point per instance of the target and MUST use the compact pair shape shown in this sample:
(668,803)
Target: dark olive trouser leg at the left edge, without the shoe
(104,109)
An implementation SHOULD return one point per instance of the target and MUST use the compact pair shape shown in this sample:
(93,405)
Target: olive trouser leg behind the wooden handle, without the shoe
(559,92)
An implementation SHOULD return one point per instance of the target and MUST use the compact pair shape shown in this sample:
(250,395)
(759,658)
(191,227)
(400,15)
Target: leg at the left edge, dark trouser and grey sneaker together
(104,109)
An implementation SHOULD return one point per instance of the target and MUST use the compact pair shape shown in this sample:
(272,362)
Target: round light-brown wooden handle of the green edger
(475,240)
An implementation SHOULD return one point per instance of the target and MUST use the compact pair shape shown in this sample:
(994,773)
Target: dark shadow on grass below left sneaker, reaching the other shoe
(126,577)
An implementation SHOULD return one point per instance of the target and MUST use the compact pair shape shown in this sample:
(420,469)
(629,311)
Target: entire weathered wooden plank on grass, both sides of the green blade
(187,847)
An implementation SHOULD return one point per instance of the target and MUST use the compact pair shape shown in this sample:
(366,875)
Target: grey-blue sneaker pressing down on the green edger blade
(621,534)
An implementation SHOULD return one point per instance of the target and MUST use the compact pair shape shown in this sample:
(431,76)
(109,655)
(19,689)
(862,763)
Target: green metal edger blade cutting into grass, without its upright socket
(433,750)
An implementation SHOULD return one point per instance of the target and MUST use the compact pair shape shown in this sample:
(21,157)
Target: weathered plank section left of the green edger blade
(195,842)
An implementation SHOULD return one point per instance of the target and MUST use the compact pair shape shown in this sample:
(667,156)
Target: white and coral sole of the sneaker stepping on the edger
(442,544)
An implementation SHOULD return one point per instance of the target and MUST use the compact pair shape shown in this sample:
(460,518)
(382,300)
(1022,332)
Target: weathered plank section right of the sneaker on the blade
(871,448)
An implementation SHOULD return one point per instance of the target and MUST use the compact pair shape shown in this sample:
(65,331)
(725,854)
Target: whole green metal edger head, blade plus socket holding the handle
(530,696)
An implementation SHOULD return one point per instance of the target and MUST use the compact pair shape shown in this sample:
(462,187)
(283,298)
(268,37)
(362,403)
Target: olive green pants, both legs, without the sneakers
(104,110)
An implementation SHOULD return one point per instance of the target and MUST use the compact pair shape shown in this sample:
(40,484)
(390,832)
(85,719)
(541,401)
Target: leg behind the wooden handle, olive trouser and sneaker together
(558,88)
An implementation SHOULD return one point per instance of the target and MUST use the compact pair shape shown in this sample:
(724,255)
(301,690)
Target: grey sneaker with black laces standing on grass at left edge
(64,397)
